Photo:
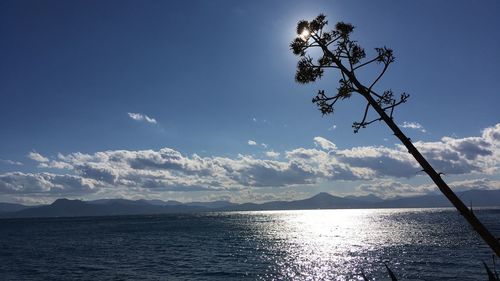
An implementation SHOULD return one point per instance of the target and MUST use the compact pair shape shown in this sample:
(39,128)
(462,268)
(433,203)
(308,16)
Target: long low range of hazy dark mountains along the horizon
(108,207)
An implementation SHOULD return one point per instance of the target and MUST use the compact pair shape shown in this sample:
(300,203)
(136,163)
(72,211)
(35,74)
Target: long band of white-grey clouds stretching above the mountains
(143,171)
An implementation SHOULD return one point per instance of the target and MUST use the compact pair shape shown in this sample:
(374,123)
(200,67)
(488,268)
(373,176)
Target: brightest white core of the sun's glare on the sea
(318,244)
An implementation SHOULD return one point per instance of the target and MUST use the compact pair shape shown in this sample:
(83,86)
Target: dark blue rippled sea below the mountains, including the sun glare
(418,244)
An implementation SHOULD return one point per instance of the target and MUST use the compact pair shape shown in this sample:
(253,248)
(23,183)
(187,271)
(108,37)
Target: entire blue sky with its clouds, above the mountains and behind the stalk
(196,100)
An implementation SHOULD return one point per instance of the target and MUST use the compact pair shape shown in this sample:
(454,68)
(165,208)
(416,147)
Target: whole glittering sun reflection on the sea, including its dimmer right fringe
(339,244)
